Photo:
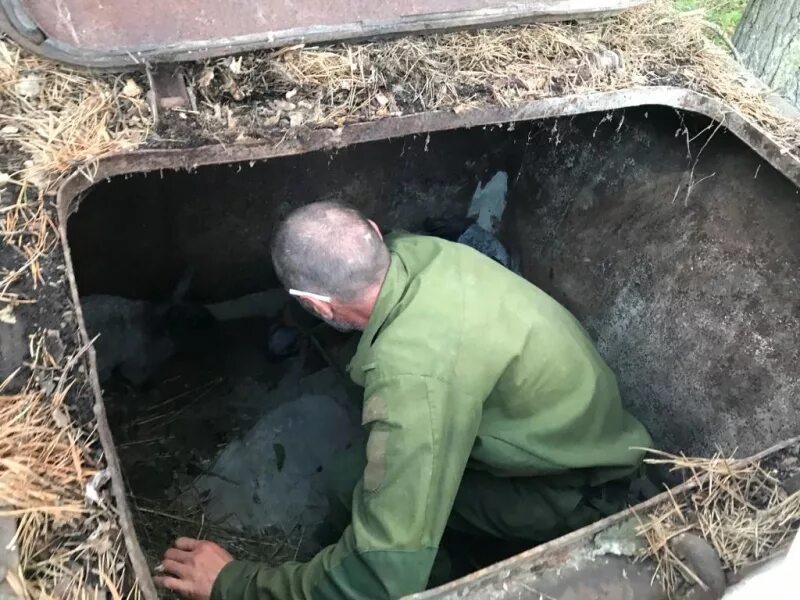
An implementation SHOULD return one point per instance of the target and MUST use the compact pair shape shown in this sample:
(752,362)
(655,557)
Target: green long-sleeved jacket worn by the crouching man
(463,363)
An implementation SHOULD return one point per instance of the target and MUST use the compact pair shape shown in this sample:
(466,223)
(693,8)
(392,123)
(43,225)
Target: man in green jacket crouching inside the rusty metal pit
(487,407)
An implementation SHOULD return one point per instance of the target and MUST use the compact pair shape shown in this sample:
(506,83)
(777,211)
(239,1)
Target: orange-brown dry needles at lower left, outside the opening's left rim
(68,548)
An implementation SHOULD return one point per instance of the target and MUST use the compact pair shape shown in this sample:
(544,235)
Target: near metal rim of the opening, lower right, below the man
(573,540)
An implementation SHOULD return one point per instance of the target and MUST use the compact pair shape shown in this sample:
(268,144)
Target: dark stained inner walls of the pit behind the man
(680,256)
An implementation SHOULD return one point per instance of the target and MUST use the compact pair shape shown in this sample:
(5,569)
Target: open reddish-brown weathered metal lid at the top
(117,33)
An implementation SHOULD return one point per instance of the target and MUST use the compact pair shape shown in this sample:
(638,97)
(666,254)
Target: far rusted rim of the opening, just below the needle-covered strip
(311,140)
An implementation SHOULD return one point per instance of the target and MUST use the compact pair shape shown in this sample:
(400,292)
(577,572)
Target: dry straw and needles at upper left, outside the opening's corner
(53,120)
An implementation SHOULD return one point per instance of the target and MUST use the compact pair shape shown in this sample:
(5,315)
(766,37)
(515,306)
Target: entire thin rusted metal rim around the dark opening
(152,160)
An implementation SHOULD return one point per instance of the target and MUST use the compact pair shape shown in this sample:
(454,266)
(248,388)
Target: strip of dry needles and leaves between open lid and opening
(336,84)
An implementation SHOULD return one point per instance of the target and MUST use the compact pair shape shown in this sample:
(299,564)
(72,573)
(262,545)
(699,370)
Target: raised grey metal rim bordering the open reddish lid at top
(197,50)
